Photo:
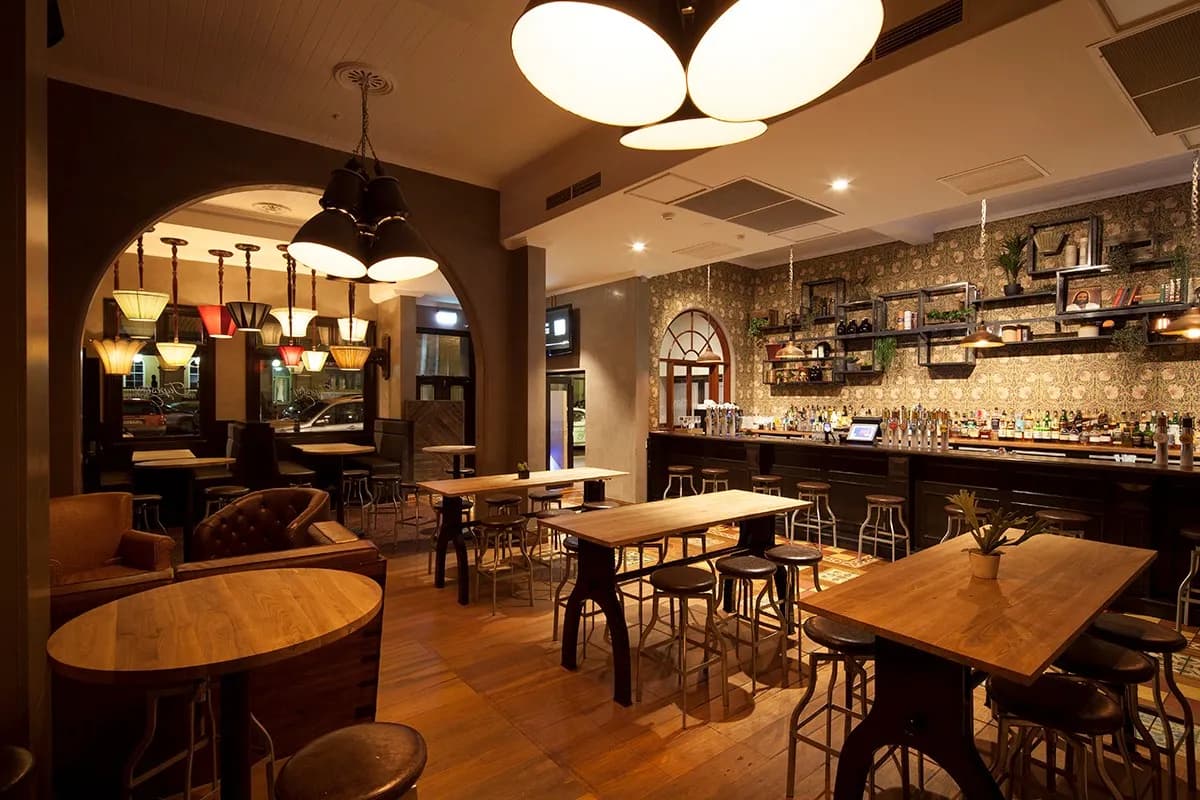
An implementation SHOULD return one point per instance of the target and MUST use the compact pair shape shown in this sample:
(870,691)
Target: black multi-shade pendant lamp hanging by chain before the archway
(363,228)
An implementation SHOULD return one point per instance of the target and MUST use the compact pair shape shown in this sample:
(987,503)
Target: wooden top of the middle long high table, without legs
(650,521)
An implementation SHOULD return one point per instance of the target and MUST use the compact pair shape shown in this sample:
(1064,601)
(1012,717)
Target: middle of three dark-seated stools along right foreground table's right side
(1118,669)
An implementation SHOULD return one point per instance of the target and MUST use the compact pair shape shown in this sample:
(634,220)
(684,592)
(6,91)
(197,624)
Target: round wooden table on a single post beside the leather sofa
(218,628)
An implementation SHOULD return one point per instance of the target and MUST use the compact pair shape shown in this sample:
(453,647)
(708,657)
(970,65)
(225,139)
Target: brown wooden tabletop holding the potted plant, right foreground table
(1049,591)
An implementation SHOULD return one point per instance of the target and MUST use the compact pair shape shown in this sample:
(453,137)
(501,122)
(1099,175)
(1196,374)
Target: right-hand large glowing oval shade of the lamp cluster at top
(765,58)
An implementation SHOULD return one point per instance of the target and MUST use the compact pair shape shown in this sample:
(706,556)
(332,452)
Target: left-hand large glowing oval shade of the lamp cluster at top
(605,62)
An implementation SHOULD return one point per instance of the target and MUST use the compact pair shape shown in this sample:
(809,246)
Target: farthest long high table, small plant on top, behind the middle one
(455,490)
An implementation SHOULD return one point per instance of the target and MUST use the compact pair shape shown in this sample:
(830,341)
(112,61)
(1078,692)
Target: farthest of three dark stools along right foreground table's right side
(1160,645)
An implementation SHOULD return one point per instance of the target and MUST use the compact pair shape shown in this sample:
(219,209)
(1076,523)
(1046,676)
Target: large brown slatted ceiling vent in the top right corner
(1159,69)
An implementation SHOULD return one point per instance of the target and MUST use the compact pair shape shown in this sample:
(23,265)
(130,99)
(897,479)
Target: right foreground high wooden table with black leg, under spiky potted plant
(937,624)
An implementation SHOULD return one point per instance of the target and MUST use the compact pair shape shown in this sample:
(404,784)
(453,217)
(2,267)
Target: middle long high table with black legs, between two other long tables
(602,532)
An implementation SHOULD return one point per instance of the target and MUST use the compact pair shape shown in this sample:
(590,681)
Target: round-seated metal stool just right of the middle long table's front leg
(685,584)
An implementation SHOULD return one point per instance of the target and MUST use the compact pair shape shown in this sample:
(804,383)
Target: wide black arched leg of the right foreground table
(925,703)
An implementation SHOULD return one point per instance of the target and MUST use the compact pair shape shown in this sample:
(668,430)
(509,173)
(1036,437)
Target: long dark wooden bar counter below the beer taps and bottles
(1133,504)
